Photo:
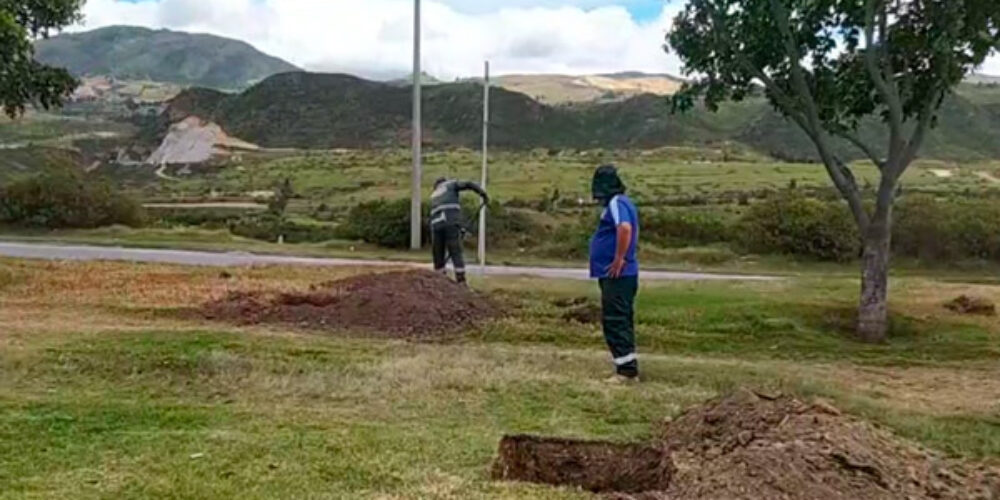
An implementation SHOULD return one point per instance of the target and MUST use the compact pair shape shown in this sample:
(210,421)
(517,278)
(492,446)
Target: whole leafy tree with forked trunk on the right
(828,64)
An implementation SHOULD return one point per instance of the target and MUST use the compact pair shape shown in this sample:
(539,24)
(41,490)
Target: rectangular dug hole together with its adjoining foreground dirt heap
(751,445)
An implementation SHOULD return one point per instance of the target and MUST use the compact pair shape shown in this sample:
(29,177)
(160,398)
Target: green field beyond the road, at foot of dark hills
(343,179)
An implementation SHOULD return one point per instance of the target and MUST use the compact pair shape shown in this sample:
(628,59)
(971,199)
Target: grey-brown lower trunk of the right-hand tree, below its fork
(873,317)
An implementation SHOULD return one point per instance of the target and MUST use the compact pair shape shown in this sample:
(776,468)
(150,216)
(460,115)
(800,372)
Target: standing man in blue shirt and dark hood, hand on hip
(613,263)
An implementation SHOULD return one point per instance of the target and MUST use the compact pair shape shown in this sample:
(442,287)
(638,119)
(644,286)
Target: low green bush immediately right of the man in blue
(684,228)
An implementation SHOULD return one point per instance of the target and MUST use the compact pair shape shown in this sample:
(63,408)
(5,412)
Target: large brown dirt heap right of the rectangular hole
(751,446)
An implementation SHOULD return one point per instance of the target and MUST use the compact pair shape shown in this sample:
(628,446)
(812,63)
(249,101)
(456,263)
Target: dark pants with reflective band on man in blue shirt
(618,320)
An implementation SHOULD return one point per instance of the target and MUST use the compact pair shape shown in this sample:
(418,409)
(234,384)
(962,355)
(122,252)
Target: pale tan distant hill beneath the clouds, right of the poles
(568,89)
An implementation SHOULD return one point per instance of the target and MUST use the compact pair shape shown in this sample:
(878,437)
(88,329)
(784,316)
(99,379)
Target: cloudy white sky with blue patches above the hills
(373,37)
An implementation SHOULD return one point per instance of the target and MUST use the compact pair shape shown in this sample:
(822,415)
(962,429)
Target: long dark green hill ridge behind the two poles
(307,110)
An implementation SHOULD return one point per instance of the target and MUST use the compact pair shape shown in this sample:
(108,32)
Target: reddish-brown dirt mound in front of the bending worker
(406,304)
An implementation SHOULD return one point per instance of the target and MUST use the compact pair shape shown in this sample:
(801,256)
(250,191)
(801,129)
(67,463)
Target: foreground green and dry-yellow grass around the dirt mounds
(112,389)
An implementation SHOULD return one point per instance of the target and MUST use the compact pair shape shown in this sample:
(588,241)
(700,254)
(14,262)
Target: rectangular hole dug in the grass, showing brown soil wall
(594,466)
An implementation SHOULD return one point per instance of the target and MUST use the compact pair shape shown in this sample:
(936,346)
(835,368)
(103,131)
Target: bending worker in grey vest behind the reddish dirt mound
(446,223)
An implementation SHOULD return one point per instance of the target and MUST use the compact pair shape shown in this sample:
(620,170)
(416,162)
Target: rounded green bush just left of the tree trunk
(795,225)
